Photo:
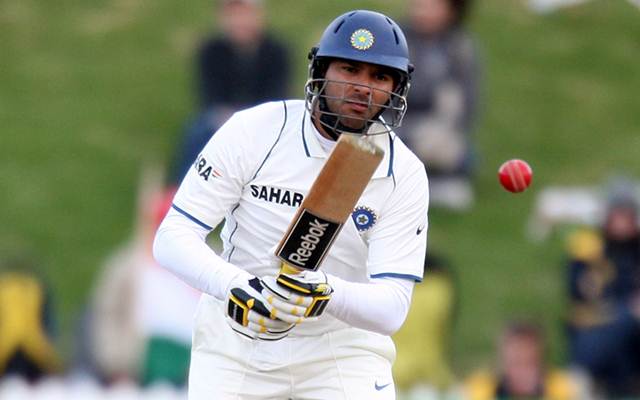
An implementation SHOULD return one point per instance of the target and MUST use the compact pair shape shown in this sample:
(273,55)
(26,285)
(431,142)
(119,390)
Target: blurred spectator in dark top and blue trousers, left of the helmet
(242,67)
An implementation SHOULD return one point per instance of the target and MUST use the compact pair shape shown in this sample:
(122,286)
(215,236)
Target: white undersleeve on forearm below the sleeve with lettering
(180,247)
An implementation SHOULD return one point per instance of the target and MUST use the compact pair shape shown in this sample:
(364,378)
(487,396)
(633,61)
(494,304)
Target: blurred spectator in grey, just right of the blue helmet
(443,98)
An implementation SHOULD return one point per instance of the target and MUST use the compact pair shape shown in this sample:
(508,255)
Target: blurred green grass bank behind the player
(92,90)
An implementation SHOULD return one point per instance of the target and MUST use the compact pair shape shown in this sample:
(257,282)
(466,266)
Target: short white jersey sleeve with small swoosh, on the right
(397,243)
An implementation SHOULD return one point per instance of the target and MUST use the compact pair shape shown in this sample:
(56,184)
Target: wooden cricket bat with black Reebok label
(329,203)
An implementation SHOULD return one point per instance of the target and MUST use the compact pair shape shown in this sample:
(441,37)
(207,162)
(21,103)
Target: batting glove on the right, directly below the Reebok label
(297,295)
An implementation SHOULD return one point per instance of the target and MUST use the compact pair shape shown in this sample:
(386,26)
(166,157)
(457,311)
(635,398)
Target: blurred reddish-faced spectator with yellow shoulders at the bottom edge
(522,372)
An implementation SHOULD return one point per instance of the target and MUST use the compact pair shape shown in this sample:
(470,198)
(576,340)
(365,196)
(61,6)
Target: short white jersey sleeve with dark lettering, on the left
(214,183)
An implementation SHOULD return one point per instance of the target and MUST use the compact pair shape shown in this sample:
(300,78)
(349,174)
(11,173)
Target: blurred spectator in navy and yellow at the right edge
(604,289)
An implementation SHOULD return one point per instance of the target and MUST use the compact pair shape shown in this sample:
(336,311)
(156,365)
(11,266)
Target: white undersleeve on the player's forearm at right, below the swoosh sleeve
(380,306)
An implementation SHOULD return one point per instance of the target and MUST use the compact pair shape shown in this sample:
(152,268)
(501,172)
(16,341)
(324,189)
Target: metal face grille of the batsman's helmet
(317,102)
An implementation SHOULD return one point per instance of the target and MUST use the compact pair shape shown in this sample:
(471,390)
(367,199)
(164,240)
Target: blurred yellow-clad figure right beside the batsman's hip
(423,342)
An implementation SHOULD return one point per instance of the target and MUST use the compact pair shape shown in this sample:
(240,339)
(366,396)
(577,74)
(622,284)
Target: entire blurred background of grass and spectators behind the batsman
(106,104)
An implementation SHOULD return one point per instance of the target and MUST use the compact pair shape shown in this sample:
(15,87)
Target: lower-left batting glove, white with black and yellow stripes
(249,314)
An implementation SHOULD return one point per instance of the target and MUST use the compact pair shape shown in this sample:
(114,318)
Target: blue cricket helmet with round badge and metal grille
(368,37)
